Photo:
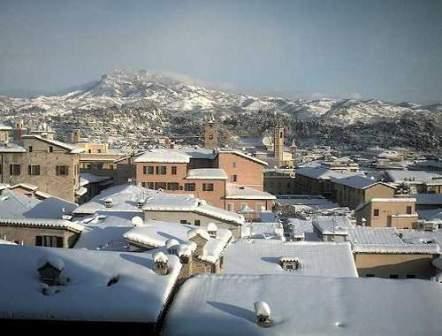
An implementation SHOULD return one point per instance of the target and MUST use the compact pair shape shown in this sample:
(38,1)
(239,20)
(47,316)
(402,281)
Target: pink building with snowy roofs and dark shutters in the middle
(226,179)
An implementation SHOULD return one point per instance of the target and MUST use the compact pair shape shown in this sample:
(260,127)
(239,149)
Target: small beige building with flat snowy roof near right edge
(388,212)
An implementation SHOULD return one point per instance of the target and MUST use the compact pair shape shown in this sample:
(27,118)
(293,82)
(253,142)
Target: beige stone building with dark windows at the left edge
(52,166)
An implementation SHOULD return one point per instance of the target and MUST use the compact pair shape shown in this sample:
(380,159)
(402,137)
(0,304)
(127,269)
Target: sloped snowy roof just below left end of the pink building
(124,198)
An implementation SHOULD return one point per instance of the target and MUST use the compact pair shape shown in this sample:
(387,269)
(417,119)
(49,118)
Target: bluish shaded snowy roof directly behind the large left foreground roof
(105,230)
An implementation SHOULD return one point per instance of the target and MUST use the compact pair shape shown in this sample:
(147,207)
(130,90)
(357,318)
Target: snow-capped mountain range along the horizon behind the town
(147,101)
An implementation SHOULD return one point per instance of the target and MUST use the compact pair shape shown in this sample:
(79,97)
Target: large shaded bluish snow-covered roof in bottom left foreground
(139,294)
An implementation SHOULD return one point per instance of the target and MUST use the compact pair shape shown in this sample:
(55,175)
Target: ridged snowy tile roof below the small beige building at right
(387,240)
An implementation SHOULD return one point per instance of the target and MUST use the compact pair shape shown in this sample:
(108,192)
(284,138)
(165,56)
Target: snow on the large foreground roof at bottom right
(224,305)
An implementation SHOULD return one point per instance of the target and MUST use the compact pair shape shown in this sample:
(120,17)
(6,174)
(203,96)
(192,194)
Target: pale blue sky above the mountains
(388,49)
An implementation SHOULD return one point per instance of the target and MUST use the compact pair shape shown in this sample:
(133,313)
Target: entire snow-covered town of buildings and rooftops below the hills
(224,230)
